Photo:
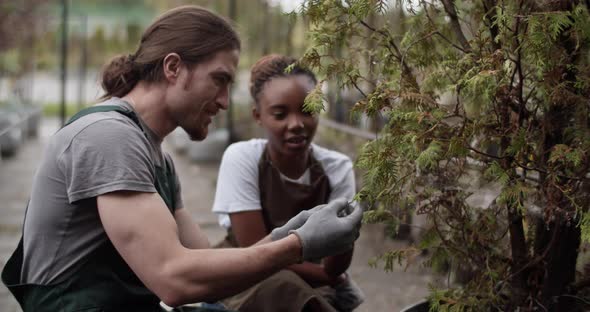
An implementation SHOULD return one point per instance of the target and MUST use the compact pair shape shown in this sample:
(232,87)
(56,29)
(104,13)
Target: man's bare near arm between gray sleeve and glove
(146,235)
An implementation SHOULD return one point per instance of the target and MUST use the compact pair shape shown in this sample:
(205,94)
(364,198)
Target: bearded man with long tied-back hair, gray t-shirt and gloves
(105,229)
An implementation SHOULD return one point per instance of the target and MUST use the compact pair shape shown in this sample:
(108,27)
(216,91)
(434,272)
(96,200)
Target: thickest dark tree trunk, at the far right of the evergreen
(557,237)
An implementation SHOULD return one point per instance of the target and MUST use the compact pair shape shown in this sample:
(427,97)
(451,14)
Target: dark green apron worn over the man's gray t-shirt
(105,282)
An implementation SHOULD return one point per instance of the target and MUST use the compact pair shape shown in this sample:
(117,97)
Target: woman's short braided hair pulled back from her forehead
(271,66)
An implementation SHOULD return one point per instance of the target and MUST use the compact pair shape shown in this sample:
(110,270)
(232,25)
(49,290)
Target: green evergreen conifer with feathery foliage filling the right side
(479,96)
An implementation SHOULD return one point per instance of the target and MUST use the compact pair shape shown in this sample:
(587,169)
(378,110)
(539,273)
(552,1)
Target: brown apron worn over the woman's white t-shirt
(281,200)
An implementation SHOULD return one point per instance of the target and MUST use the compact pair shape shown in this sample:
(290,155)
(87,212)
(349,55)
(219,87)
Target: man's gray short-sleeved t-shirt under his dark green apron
(99,153)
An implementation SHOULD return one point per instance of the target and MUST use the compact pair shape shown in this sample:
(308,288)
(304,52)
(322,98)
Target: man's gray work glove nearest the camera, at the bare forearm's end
(326,234)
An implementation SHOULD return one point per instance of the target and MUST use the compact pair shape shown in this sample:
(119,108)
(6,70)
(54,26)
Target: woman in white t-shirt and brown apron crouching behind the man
(264,182)
